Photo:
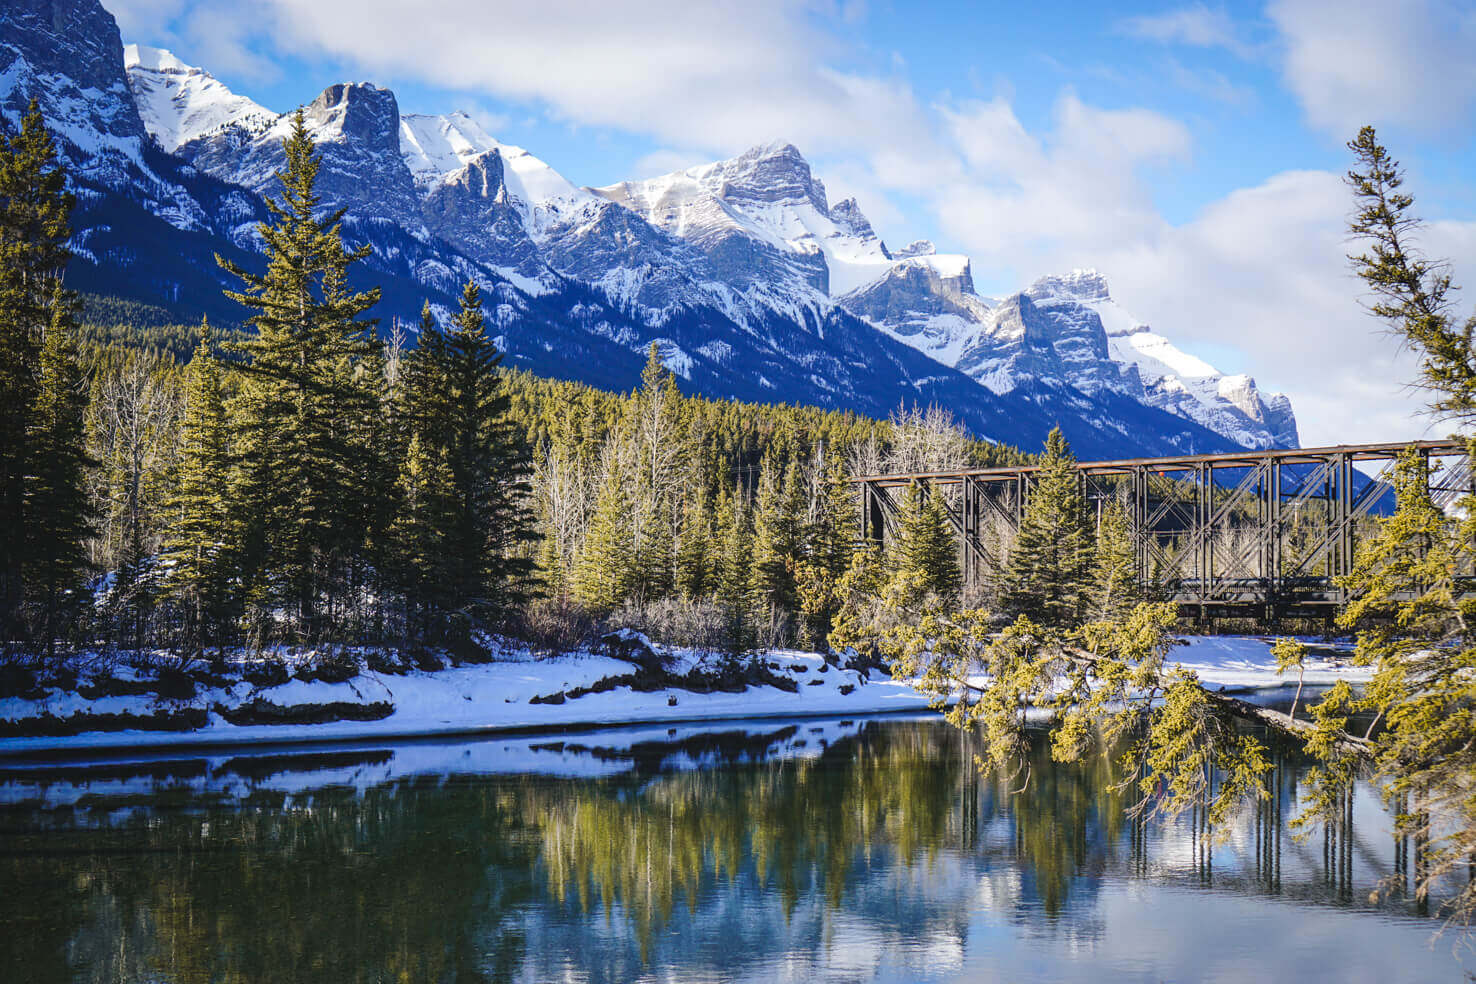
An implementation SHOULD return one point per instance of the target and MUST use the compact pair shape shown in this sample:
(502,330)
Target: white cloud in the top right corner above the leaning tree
(1353,63)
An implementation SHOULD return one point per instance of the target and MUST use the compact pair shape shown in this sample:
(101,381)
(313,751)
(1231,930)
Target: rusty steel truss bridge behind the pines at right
(1248,533)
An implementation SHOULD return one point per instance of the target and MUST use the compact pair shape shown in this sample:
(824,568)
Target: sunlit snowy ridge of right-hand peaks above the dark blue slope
(764,218)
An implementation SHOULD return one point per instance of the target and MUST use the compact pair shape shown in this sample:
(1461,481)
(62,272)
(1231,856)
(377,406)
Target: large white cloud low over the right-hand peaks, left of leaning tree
(1264,271)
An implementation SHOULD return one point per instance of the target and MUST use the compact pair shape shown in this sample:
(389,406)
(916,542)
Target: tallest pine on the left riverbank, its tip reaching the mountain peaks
(305,399)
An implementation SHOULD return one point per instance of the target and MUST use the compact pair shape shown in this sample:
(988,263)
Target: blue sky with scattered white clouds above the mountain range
(1190,151)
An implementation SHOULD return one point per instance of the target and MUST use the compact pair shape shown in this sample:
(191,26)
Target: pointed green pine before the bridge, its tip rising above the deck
(1049,573)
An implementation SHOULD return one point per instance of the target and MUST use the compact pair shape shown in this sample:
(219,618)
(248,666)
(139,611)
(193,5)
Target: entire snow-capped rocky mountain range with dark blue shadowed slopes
(742,272)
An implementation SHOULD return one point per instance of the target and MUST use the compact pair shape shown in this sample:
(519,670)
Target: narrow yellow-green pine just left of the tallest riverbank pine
(201,542)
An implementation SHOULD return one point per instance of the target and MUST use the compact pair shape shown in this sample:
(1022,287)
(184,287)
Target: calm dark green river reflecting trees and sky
(866,850)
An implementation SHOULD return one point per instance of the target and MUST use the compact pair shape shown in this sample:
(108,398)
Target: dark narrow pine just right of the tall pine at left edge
(57,499)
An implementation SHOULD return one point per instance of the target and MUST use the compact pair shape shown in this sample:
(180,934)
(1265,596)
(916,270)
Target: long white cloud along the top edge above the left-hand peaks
(720,77)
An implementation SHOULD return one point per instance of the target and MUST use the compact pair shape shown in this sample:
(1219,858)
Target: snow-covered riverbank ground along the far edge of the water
(497,697)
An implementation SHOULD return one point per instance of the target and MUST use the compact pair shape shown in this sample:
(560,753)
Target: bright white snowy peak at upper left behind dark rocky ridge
(181,103)
